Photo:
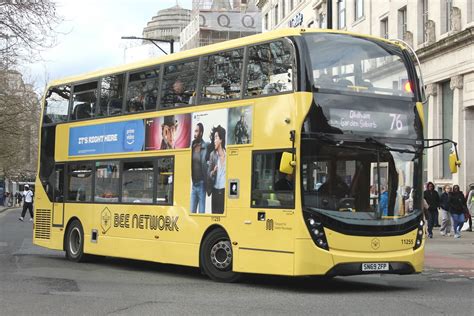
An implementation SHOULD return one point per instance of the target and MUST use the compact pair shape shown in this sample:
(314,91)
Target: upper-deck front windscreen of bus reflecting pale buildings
(357,65)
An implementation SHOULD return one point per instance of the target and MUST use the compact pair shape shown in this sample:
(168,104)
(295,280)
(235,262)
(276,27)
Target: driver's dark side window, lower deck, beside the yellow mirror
(271,188)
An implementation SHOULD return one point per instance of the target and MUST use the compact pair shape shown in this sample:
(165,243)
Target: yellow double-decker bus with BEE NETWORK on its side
(295,152)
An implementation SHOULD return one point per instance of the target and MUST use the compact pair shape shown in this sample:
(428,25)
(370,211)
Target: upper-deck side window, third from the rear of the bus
(111,95)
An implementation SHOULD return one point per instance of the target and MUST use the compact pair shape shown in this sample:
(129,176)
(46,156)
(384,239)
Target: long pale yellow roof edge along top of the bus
(262,37)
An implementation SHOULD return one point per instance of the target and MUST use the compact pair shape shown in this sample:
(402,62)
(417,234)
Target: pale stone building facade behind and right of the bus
(442,34)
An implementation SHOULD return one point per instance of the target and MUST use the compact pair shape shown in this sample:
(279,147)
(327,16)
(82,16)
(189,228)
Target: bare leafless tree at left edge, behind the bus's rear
(26,28)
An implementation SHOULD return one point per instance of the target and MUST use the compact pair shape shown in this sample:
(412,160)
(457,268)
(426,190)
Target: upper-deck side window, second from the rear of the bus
(84,101)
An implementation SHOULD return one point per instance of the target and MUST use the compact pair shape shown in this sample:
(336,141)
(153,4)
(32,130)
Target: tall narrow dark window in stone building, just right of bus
(447,125)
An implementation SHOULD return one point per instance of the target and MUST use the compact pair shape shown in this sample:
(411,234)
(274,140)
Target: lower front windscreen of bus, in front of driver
(358,177)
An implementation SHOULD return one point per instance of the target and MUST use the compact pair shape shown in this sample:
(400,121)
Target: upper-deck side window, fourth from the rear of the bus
(142,91)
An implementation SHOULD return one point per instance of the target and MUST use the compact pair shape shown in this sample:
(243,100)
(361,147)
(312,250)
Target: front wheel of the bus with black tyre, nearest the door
(216,257)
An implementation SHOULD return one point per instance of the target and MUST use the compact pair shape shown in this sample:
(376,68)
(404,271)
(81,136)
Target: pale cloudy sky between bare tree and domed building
(90,36)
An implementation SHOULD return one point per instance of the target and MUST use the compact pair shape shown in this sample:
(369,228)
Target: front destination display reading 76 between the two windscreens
(369,121)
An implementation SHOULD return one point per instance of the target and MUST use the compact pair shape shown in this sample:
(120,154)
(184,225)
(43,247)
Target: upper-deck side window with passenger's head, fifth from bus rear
(179,84)
